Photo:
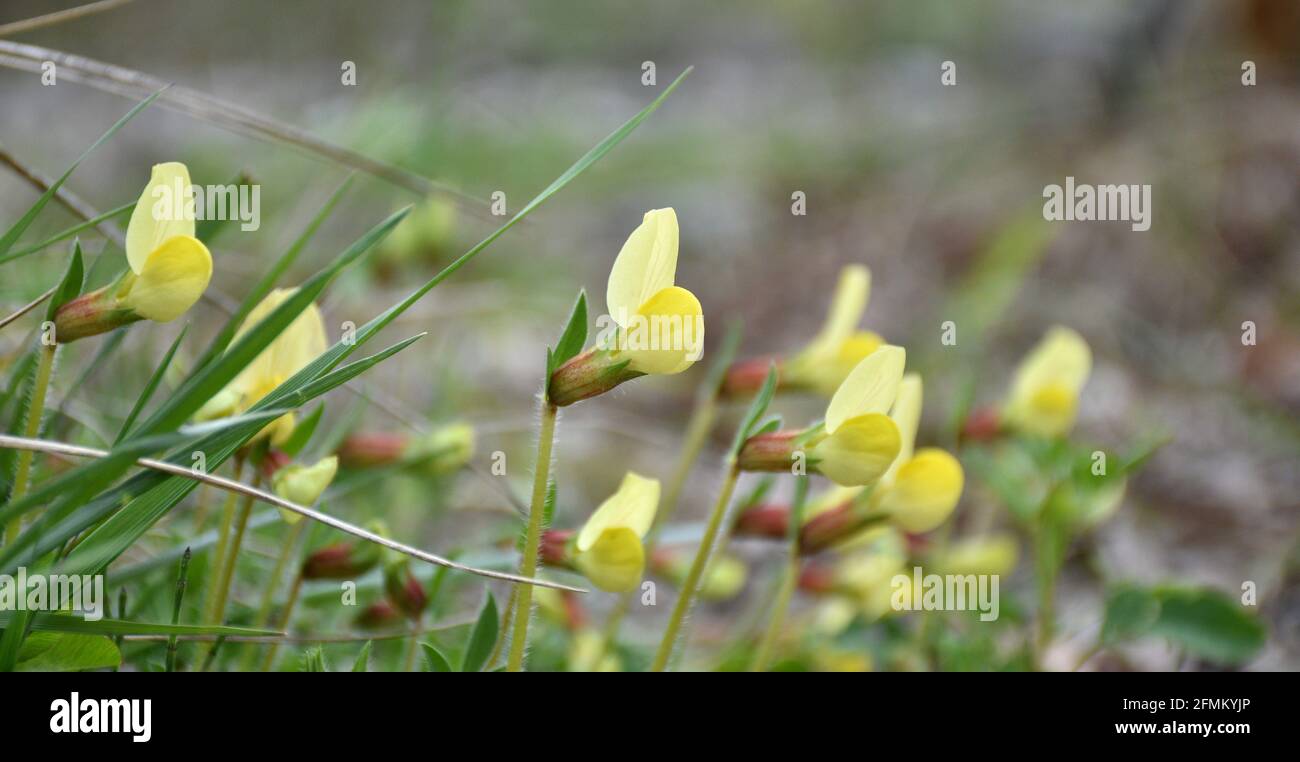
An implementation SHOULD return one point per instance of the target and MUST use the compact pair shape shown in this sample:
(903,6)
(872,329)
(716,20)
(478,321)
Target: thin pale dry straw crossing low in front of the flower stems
(229,484)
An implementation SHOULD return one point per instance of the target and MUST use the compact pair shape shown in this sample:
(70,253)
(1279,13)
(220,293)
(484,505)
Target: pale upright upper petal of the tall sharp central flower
(647,265)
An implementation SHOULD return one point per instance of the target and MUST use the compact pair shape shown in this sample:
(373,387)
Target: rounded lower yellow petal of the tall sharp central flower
(668,335)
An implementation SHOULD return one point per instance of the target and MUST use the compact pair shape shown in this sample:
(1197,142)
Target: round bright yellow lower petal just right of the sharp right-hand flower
(925,491)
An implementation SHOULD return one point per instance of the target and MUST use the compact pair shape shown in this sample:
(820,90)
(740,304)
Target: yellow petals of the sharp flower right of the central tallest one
(861,441)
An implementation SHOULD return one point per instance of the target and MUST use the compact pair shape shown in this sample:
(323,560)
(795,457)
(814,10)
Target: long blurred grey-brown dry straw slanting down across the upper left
(235,118)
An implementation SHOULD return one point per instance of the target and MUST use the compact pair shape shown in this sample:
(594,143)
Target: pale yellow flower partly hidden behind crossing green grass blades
(291,352)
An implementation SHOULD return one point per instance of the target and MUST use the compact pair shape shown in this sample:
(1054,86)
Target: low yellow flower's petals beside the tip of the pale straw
(609,547)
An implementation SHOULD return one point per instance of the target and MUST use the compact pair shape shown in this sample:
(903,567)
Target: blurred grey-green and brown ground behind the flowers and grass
(937,189)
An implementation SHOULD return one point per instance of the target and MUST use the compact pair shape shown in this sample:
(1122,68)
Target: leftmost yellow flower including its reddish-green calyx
(170,269)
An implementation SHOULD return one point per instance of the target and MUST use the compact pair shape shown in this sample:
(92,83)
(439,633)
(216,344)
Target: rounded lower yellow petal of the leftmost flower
(172,279)
